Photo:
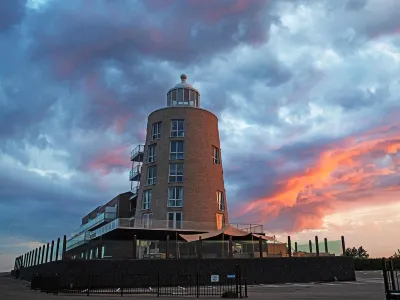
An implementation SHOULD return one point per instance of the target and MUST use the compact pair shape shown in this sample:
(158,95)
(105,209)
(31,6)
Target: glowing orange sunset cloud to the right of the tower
(354,171)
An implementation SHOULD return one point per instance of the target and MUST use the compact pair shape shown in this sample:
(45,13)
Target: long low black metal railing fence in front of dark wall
(233,285)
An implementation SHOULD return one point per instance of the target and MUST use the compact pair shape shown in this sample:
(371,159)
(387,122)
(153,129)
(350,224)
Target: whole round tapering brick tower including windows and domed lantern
(181,179)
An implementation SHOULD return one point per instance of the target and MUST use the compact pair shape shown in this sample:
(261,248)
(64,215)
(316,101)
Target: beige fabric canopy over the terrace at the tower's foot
(236,234)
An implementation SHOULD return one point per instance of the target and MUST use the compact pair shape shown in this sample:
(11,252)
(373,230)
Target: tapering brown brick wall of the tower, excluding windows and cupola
(202,178)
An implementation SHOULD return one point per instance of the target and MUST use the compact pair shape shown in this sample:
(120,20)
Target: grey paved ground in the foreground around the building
(369,286)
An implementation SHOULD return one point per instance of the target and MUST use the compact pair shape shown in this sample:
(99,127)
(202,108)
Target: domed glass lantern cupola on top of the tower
(183,94)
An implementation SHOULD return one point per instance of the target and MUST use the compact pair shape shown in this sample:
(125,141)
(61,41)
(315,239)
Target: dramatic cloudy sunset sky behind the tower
(307,94)
